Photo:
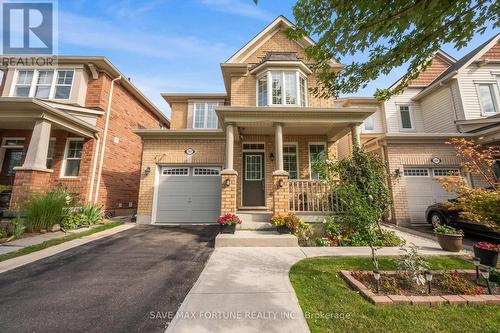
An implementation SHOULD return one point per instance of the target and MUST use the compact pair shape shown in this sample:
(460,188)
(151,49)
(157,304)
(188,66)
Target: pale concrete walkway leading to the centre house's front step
(248,289)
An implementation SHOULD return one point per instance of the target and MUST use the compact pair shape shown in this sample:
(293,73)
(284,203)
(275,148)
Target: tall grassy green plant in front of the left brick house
(45,210)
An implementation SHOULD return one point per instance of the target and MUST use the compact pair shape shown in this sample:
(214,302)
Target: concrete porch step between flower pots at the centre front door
(245,238)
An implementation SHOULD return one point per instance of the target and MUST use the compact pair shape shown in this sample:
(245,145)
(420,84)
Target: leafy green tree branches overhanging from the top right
(390,34)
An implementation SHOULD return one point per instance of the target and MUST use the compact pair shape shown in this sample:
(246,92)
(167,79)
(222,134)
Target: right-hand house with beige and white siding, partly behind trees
(450,99)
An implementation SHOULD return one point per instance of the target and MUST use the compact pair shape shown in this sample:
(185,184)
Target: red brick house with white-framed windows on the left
(71,126)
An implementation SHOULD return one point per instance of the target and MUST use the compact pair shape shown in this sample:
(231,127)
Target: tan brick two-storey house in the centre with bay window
(251,147)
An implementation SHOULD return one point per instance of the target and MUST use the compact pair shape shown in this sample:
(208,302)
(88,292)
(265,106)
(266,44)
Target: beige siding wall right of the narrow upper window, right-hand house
(438,111)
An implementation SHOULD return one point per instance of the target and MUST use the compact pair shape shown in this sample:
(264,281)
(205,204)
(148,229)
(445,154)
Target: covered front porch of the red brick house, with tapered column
(42,146)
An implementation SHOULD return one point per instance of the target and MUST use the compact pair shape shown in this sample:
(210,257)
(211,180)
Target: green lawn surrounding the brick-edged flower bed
(320,289)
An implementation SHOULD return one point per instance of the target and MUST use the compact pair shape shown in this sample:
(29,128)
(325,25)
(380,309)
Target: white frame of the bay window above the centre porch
(268,73)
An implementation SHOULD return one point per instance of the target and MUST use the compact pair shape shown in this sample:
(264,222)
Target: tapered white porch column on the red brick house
(36,156)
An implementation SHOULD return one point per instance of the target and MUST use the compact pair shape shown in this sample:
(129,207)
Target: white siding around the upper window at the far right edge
(467,79)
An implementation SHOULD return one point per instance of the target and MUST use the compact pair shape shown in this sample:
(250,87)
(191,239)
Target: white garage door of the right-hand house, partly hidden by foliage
(423,189)
